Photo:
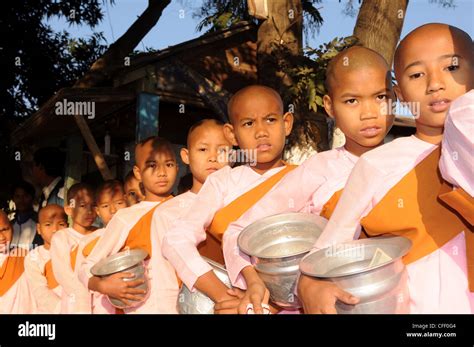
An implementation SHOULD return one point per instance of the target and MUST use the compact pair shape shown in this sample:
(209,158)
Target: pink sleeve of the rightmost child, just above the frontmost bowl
(354,204)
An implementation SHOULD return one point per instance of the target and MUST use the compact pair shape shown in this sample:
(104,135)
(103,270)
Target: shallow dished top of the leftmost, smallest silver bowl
(119,262)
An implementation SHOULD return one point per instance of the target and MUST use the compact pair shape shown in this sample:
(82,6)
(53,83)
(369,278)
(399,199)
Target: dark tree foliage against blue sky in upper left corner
(35,60)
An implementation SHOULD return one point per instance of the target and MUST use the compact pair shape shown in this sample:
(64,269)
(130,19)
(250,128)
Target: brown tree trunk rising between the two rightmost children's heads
(379,25)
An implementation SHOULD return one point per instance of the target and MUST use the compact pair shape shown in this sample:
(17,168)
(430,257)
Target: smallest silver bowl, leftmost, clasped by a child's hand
(131,261)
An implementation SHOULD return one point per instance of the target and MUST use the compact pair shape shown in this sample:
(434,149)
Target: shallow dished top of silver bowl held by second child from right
(282,235)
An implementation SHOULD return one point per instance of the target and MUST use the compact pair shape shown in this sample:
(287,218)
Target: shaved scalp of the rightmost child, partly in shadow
(461,42)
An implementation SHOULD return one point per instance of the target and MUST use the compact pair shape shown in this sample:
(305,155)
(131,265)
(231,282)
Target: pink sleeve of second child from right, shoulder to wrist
(291,194)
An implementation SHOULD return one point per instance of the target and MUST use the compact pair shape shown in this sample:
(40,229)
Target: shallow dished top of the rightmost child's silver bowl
(353,257)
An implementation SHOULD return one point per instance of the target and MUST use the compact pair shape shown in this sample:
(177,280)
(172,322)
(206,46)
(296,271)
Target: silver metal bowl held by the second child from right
(276,245)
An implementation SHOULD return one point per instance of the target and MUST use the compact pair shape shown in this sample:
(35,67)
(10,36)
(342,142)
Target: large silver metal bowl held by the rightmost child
(381,287)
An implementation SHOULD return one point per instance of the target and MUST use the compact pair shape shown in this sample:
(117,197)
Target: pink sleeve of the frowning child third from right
(181,241)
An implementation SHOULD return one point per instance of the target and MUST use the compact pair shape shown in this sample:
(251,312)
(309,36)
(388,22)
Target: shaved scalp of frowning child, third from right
(255,92)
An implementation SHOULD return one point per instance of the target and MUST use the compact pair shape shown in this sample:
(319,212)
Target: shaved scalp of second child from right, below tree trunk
(352,59)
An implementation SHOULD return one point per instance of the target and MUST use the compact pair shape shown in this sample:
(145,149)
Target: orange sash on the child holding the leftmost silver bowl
(140,236)
